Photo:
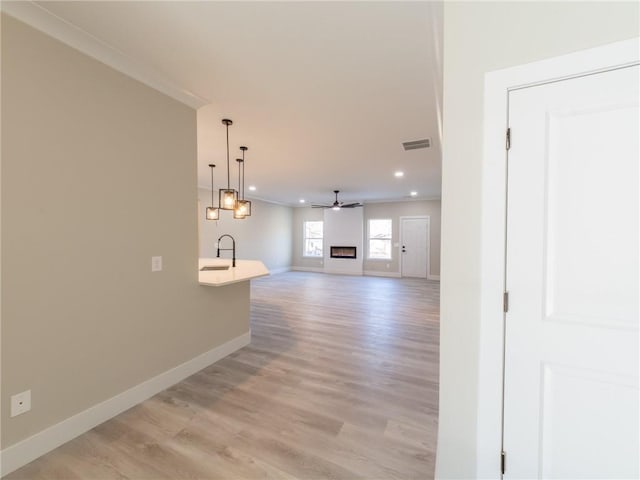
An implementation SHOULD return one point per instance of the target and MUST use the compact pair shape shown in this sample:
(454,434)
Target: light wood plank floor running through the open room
(340,382)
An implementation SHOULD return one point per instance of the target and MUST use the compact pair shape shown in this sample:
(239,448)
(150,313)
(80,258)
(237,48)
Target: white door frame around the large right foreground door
(493,224)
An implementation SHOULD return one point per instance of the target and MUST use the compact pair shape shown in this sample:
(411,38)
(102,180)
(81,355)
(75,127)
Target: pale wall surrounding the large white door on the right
(480,37)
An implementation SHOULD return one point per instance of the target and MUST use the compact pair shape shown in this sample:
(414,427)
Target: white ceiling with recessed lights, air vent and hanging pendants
(322,93)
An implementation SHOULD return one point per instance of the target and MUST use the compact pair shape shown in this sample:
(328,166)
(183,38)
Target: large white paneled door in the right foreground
(571,331)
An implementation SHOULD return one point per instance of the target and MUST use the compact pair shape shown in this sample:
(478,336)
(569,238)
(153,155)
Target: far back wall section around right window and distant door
(395,210)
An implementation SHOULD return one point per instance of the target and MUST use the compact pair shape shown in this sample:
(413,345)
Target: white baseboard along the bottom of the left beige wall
(27,450)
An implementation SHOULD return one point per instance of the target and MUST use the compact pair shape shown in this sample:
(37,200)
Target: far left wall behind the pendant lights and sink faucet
(265,235)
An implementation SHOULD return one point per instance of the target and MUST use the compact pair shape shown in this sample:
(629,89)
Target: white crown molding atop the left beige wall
(37,16)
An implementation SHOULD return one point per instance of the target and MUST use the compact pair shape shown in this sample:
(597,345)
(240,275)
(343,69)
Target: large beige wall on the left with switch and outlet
(98,175)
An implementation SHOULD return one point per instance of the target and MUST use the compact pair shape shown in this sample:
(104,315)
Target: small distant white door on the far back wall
(414,235)
